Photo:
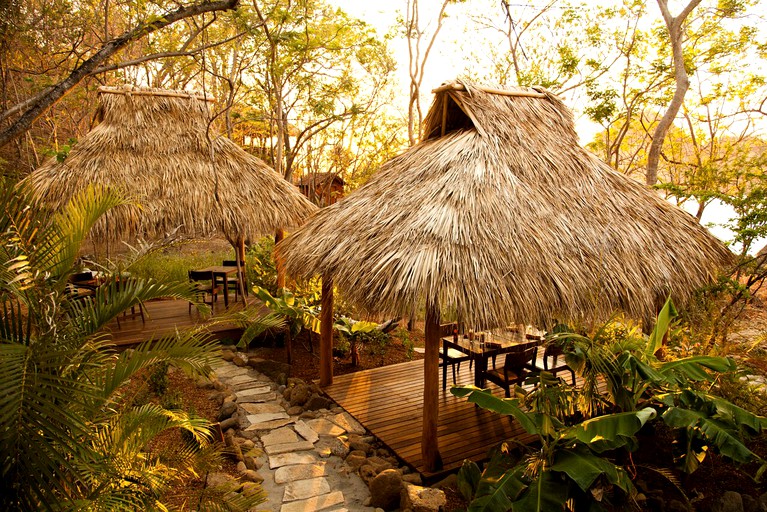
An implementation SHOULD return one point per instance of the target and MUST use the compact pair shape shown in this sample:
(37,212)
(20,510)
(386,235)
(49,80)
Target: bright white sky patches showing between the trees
(451,56)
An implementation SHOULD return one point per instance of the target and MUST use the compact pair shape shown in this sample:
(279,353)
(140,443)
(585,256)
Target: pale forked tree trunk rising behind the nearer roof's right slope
(675,32)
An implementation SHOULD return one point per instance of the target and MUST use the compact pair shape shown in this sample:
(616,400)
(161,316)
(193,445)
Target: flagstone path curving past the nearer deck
(301,456)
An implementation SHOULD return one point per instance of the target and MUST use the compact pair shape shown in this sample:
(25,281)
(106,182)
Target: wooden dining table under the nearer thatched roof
(480,352)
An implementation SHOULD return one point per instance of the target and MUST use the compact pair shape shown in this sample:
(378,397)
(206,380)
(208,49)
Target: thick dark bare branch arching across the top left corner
(47,98)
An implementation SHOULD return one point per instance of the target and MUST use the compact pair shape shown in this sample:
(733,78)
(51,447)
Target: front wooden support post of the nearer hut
(429,442)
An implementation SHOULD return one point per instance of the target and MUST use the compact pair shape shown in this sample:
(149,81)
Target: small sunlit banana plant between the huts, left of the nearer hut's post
(299,312)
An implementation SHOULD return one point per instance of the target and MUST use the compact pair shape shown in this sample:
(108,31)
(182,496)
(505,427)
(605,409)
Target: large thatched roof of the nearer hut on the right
(501,216)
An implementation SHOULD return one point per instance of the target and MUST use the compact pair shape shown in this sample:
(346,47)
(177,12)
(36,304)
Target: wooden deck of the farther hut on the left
(164,317)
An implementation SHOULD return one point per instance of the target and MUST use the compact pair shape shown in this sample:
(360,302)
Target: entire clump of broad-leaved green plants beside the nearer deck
(577,457)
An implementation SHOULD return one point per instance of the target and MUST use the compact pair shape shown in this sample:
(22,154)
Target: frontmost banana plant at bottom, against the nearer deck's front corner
(571,463)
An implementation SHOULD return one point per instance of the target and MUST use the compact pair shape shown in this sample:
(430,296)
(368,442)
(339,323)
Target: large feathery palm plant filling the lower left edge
(68,438)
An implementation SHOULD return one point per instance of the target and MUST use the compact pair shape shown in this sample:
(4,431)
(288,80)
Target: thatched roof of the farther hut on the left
(154,145)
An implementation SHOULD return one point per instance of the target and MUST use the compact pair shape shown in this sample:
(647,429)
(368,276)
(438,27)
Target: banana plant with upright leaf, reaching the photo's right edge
(636,379)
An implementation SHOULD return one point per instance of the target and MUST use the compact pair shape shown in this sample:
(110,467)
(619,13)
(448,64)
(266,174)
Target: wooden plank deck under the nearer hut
(388,401)
